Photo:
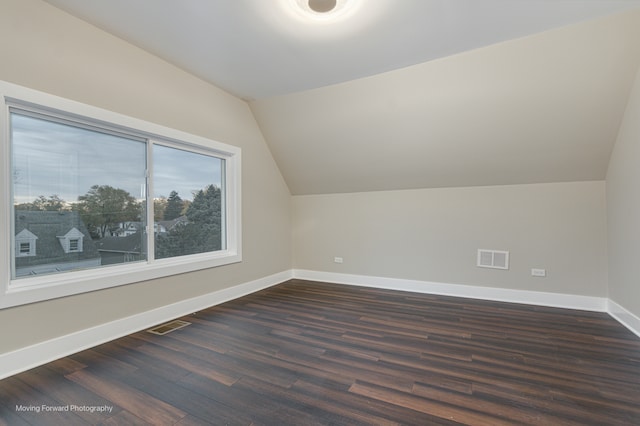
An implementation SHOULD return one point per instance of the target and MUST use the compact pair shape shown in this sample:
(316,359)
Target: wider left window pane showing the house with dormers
(78,196)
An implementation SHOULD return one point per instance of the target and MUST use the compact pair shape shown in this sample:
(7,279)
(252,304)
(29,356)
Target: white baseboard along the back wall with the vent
(557,300)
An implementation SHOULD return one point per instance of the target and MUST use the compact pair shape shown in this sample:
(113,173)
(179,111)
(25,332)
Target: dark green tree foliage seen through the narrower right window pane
(201,233)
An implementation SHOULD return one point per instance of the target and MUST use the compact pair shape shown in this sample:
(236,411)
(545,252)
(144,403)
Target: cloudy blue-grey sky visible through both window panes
(51,158)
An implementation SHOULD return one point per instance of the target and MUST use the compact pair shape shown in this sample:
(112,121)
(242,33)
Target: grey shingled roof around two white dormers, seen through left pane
(48,226)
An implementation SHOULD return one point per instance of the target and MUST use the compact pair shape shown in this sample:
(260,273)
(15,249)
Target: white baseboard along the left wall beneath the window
(32,356)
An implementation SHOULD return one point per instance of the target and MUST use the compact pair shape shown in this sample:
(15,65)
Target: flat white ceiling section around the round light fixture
(262,48)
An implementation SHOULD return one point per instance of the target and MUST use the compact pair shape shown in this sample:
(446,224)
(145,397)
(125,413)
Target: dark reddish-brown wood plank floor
(305,353)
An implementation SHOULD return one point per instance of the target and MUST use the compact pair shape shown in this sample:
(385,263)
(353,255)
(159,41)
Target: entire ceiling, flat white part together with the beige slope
(399,94)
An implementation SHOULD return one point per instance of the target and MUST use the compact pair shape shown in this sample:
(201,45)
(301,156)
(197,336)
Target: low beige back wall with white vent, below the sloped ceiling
(433,235)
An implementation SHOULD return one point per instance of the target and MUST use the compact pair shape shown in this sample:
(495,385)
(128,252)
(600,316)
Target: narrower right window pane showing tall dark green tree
(188,206)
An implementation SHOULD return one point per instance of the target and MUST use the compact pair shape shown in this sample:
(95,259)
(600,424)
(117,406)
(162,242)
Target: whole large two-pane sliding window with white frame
(109,199)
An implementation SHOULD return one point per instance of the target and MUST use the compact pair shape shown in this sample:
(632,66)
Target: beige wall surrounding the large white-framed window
(45,49)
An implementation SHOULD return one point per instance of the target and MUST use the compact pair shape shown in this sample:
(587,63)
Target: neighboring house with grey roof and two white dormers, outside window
(51,241)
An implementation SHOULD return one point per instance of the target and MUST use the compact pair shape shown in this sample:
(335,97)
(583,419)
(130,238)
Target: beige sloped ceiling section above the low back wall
(544,108)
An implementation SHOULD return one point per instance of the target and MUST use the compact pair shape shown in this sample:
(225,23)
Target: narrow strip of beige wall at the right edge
(623,209)
